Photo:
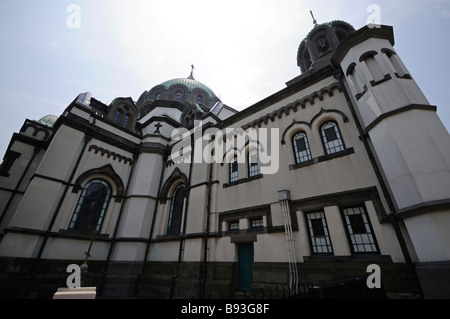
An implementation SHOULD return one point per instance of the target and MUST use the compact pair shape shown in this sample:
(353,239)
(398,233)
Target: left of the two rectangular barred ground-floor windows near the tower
(318,233)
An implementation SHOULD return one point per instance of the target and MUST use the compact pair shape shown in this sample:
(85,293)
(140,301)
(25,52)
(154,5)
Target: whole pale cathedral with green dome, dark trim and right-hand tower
(178,195)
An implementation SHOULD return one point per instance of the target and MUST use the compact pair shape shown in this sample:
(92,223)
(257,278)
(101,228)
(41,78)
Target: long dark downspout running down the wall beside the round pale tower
(392,216)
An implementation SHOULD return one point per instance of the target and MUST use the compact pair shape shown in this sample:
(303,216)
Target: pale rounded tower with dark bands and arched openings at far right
(410,143)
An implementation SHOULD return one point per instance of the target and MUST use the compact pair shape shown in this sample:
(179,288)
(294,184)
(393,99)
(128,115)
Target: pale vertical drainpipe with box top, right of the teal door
(283,198)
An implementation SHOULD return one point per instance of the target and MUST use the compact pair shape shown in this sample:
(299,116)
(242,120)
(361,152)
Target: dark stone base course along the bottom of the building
(22,278)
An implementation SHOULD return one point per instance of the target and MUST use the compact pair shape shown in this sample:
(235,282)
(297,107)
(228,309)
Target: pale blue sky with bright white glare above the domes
(245,50)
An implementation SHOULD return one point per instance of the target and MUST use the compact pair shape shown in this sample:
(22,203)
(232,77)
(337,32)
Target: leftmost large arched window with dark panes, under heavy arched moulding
(91,207)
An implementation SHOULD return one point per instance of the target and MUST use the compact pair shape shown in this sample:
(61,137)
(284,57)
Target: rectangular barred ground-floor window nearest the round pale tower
(359,230)
